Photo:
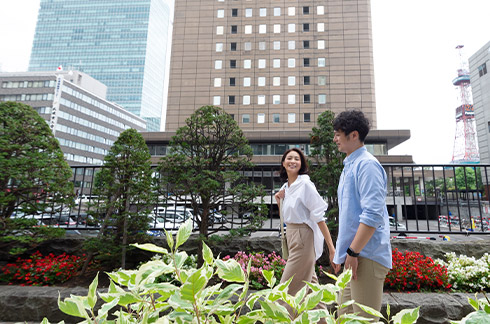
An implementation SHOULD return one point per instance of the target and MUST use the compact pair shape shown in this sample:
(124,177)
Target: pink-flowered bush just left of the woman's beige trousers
(260,261)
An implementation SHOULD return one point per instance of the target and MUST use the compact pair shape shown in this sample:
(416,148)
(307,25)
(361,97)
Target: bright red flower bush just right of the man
(413,271)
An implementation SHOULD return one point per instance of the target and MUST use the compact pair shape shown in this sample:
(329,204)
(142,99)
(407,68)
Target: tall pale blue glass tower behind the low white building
(122,43)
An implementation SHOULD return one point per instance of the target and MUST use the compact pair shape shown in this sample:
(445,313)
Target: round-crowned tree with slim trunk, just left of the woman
(206,157)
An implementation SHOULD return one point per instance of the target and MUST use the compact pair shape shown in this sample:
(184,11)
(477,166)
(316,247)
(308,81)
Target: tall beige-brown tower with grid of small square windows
(274,65)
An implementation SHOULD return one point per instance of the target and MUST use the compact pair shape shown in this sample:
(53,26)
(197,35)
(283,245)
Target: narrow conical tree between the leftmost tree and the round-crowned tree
(124,185)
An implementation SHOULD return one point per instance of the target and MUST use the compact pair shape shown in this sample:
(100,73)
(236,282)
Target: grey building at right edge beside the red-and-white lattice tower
(480,82)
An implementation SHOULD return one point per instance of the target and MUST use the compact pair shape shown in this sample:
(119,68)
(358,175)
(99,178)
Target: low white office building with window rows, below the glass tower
(74,105)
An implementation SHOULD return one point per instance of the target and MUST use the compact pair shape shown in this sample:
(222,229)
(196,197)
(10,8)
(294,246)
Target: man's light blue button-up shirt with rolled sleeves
(362,199)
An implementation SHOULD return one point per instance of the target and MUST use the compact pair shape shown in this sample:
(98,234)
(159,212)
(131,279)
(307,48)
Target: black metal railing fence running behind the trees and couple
(421,199)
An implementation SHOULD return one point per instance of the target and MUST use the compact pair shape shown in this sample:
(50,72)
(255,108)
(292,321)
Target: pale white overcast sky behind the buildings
(415,61)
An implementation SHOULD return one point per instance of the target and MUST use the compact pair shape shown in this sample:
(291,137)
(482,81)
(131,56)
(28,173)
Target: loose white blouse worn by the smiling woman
(303,204)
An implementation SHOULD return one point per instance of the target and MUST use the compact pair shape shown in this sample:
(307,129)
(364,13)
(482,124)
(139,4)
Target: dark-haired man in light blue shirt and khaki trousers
(363,243)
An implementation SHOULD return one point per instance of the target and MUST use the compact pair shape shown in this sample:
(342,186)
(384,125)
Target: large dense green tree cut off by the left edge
(33,177)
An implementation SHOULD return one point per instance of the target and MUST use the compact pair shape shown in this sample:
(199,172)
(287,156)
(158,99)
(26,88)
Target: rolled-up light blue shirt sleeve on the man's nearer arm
(372,191)
